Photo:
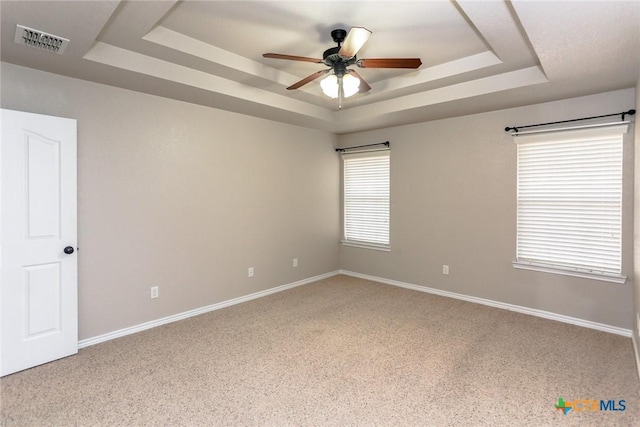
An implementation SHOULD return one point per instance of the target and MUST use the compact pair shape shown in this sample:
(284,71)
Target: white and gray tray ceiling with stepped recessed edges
(476,55)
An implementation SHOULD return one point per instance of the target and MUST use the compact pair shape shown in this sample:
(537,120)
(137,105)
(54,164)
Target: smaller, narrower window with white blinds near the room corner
(366,199)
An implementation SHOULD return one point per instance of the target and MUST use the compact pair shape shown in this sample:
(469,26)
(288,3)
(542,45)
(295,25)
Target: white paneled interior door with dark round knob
(39,278)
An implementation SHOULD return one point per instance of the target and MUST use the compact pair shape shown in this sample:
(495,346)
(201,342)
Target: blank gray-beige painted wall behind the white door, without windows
(186,198)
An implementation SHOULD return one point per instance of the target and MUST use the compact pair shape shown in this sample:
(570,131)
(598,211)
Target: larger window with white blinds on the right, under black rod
(569,216)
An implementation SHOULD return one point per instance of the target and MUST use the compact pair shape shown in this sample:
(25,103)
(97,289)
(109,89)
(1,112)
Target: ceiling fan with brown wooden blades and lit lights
(343,82)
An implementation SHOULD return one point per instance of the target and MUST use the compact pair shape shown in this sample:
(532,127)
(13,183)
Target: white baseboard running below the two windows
(511,307)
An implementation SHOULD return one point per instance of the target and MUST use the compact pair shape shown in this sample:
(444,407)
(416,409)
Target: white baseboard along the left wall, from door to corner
(180,316)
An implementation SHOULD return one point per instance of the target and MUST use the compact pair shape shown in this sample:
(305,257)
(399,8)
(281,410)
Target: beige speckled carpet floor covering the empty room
(338,352)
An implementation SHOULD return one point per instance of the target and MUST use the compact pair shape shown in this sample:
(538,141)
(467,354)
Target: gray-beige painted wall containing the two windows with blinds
(453,201)
